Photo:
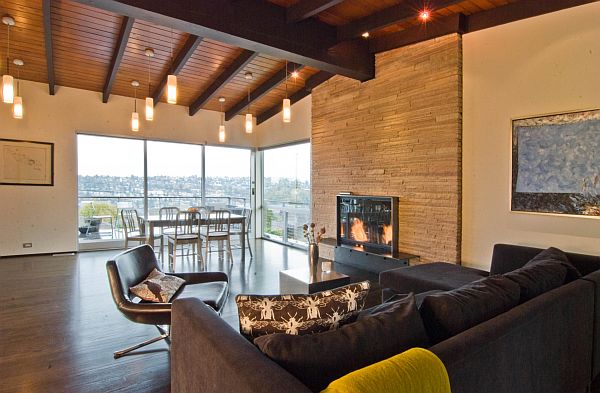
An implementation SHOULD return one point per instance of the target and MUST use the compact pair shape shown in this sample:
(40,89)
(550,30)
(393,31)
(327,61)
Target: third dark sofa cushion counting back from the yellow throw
(537,278)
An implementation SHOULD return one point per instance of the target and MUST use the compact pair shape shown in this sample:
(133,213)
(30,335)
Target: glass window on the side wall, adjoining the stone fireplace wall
(286,192)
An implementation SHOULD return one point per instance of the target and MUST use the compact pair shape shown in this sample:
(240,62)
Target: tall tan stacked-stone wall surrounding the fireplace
(398,134)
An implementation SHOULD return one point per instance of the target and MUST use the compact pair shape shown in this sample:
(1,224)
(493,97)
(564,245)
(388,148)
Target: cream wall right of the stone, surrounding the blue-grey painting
(541,65)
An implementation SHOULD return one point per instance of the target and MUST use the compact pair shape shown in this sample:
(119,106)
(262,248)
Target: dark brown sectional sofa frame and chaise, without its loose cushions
(549,344)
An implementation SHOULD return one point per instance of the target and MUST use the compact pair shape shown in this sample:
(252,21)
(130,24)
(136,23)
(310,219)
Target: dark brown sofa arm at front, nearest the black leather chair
(209,356)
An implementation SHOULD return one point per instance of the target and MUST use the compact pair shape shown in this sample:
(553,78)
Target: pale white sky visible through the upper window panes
(125,157)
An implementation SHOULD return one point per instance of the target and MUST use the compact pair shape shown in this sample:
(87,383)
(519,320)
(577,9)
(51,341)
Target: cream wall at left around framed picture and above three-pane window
(47,216)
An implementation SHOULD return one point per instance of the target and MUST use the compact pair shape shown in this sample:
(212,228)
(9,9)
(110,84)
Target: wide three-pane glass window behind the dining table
(111,178)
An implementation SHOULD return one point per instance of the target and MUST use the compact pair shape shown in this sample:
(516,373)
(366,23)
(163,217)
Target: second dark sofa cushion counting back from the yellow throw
(446,314)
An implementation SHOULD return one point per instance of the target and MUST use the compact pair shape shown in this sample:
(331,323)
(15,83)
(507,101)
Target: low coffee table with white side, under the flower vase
(302,281)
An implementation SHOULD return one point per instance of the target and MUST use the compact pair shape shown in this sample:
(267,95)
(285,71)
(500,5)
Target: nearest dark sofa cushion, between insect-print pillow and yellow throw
(318,359)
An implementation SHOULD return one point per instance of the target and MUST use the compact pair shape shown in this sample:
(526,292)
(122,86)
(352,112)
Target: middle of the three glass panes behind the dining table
(174,175)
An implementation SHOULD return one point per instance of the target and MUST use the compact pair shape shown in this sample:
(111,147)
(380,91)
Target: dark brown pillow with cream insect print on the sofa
(300,314)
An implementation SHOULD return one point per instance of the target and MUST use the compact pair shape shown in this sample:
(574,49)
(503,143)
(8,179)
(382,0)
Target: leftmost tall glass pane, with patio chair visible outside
(110,178)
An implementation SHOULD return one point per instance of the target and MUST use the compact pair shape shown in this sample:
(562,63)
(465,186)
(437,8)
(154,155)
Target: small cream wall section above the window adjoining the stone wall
(275,132)
